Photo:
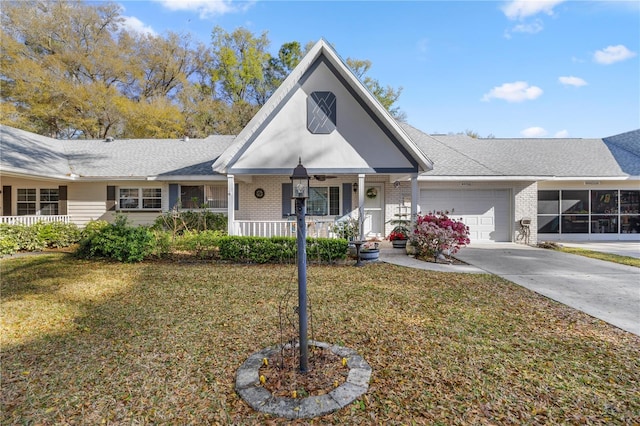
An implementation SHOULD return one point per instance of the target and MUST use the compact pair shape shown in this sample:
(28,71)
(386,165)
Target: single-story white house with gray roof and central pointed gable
(359,157)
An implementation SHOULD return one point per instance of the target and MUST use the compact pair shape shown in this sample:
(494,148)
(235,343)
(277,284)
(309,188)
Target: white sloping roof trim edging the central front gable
(231,154)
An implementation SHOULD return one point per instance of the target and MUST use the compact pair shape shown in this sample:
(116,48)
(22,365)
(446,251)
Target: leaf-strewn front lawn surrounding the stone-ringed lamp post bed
(95,342)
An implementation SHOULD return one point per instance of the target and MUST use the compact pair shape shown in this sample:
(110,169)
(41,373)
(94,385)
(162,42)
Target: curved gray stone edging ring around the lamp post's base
(260,399)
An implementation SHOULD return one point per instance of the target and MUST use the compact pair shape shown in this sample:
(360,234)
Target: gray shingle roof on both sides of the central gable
(453,155)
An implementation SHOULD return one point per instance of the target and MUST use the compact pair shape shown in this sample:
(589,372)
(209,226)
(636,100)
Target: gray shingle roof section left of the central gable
(124,158)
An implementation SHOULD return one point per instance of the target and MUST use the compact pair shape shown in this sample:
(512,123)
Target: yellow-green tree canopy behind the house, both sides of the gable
(71,69)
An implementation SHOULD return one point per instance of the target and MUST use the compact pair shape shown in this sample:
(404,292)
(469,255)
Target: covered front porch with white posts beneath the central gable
(263,206)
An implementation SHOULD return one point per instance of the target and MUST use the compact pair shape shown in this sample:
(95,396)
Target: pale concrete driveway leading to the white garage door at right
(604,290)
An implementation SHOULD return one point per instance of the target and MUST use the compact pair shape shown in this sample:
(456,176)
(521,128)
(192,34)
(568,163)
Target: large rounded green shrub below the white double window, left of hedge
(118,241)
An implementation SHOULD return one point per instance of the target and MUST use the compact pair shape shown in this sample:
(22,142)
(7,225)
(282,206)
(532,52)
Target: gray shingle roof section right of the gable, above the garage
(461,155)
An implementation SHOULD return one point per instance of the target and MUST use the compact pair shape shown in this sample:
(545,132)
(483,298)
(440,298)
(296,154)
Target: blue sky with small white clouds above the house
(509,69)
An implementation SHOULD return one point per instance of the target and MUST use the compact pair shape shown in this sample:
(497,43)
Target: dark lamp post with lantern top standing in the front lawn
(300,184)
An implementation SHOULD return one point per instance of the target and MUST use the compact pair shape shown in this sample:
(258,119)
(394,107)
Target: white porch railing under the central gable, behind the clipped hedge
(283,228)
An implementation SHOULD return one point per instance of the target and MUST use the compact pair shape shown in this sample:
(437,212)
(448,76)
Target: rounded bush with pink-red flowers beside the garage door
(436,233)
